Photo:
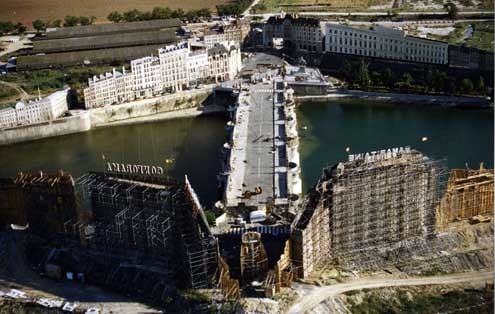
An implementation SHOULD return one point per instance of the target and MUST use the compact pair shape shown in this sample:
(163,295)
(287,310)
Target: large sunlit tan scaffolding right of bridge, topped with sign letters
(371,202)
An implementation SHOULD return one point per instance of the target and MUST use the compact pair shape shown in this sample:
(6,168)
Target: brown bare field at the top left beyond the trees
(26,11)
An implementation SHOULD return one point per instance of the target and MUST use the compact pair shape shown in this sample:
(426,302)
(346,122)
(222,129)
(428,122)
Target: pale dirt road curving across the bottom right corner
(318,295)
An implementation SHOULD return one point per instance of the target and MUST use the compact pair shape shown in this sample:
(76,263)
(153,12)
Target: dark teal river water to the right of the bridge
(327,129)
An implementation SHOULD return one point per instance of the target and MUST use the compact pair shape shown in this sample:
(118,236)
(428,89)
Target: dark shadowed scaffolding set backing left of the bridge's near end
(158,220)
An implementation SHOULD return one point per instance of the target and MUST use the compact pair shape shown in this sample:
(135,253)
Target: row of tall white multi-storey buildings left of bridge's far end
(174,68)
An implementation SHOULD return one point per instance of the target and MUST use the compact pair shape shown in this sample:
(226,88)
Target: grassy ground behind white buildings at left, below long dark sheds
(49,81)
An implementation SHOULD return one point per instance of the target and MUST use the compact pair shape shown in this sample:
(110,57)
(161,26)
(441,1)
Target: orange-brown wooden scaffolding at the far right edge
(469,193)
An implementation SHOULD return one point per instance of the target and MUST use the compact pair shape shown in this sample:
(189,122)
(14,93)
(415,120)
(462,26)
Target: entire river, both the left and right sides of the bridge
(459,135)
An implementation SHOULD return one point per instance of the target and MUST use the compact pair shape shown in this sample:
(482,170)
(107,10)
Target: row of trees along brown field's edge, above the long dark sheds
(158,13)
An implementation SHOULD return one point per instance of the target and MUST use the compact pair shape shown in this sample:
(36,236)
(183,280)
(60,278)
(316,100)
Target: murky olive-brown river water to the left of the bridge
(193,143)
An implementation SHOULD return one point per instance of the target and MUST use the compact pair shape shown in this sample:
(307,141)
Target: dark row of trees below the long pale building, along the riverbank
(357,75)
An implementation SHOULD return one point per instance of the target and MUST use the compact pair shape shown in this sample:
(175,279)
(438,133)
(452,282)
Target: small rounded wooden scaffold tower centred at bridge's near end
(254,261)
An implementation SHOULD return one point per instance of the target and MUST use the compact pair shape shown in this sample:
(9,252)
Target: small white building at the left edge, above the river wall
(45,109)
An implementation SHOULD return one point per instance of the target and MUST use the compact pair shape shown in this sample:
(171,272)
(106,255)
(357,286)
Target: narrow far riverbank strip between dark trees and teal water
(420,99)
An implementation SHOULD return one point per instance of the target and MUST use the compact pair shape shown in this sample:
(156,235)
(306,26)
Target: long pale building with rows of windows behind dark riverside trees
(385,43)
